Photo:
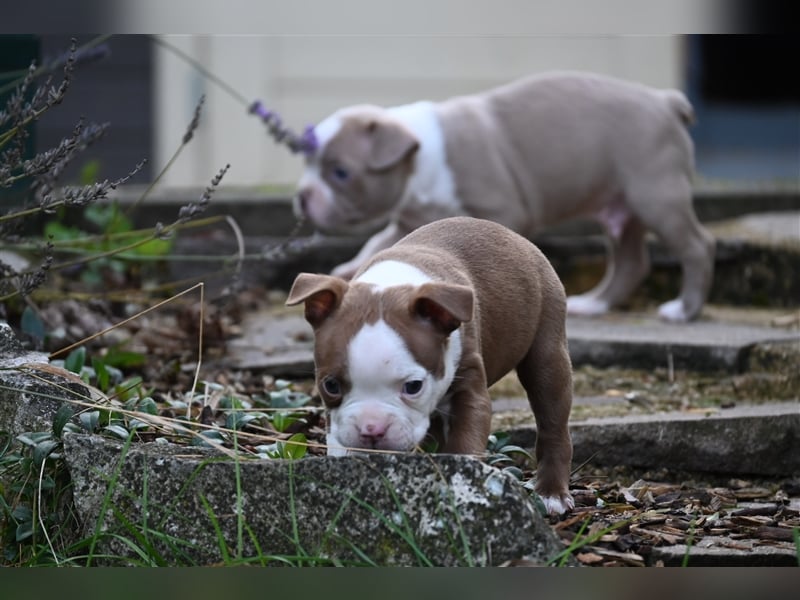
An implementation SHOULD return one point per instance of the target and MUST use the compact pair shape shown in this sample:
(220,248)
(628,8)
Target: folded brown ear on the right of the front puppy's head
(445,305)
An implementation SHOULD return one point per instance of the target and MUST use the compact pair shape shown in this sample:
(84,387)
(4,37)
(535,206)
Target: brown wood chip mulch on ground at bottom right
(673,524)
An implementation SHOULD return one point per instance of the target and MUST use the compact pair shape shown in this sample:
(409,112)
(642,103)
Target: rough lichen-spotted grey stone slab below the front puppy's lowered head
(411,510)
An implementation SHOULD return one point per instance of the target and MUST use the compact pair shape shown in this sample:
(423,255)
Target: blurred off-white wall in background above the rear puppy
(304,78)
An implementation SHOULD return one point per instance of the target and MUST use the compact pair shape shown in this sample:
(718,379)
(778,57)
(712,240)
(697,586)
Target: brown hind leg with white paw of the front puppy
(546,375)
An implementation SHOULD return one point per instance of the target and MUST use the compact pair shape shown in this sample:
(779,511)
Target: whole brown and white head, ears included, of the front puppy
(384,357)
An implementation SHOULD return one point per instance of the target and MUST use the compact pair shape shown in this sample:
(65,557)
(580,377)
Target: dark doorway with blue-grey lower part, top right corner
(746,94)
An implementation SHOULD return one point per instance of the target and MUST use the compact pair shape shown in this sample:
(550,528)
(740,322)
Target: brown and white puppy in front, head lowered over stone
(408,348)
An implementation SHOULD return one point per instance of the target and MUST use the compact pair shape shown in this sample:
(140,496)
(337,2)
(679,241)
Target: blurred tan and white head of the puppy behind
(358,173)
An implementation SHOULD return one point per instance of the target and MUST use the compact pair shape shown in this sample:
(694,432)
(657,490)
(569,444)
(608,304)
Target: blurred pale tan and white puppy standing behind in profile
(528,155)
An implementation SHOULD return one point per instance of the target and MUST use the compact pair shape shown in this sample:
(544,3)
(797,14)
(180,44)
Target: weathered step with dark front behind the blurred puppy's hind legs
(757,260)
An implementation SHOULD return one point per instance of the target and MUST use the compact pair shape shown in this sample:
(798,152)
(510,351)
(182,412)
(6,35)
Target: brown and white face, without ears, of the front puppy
(381,371)
